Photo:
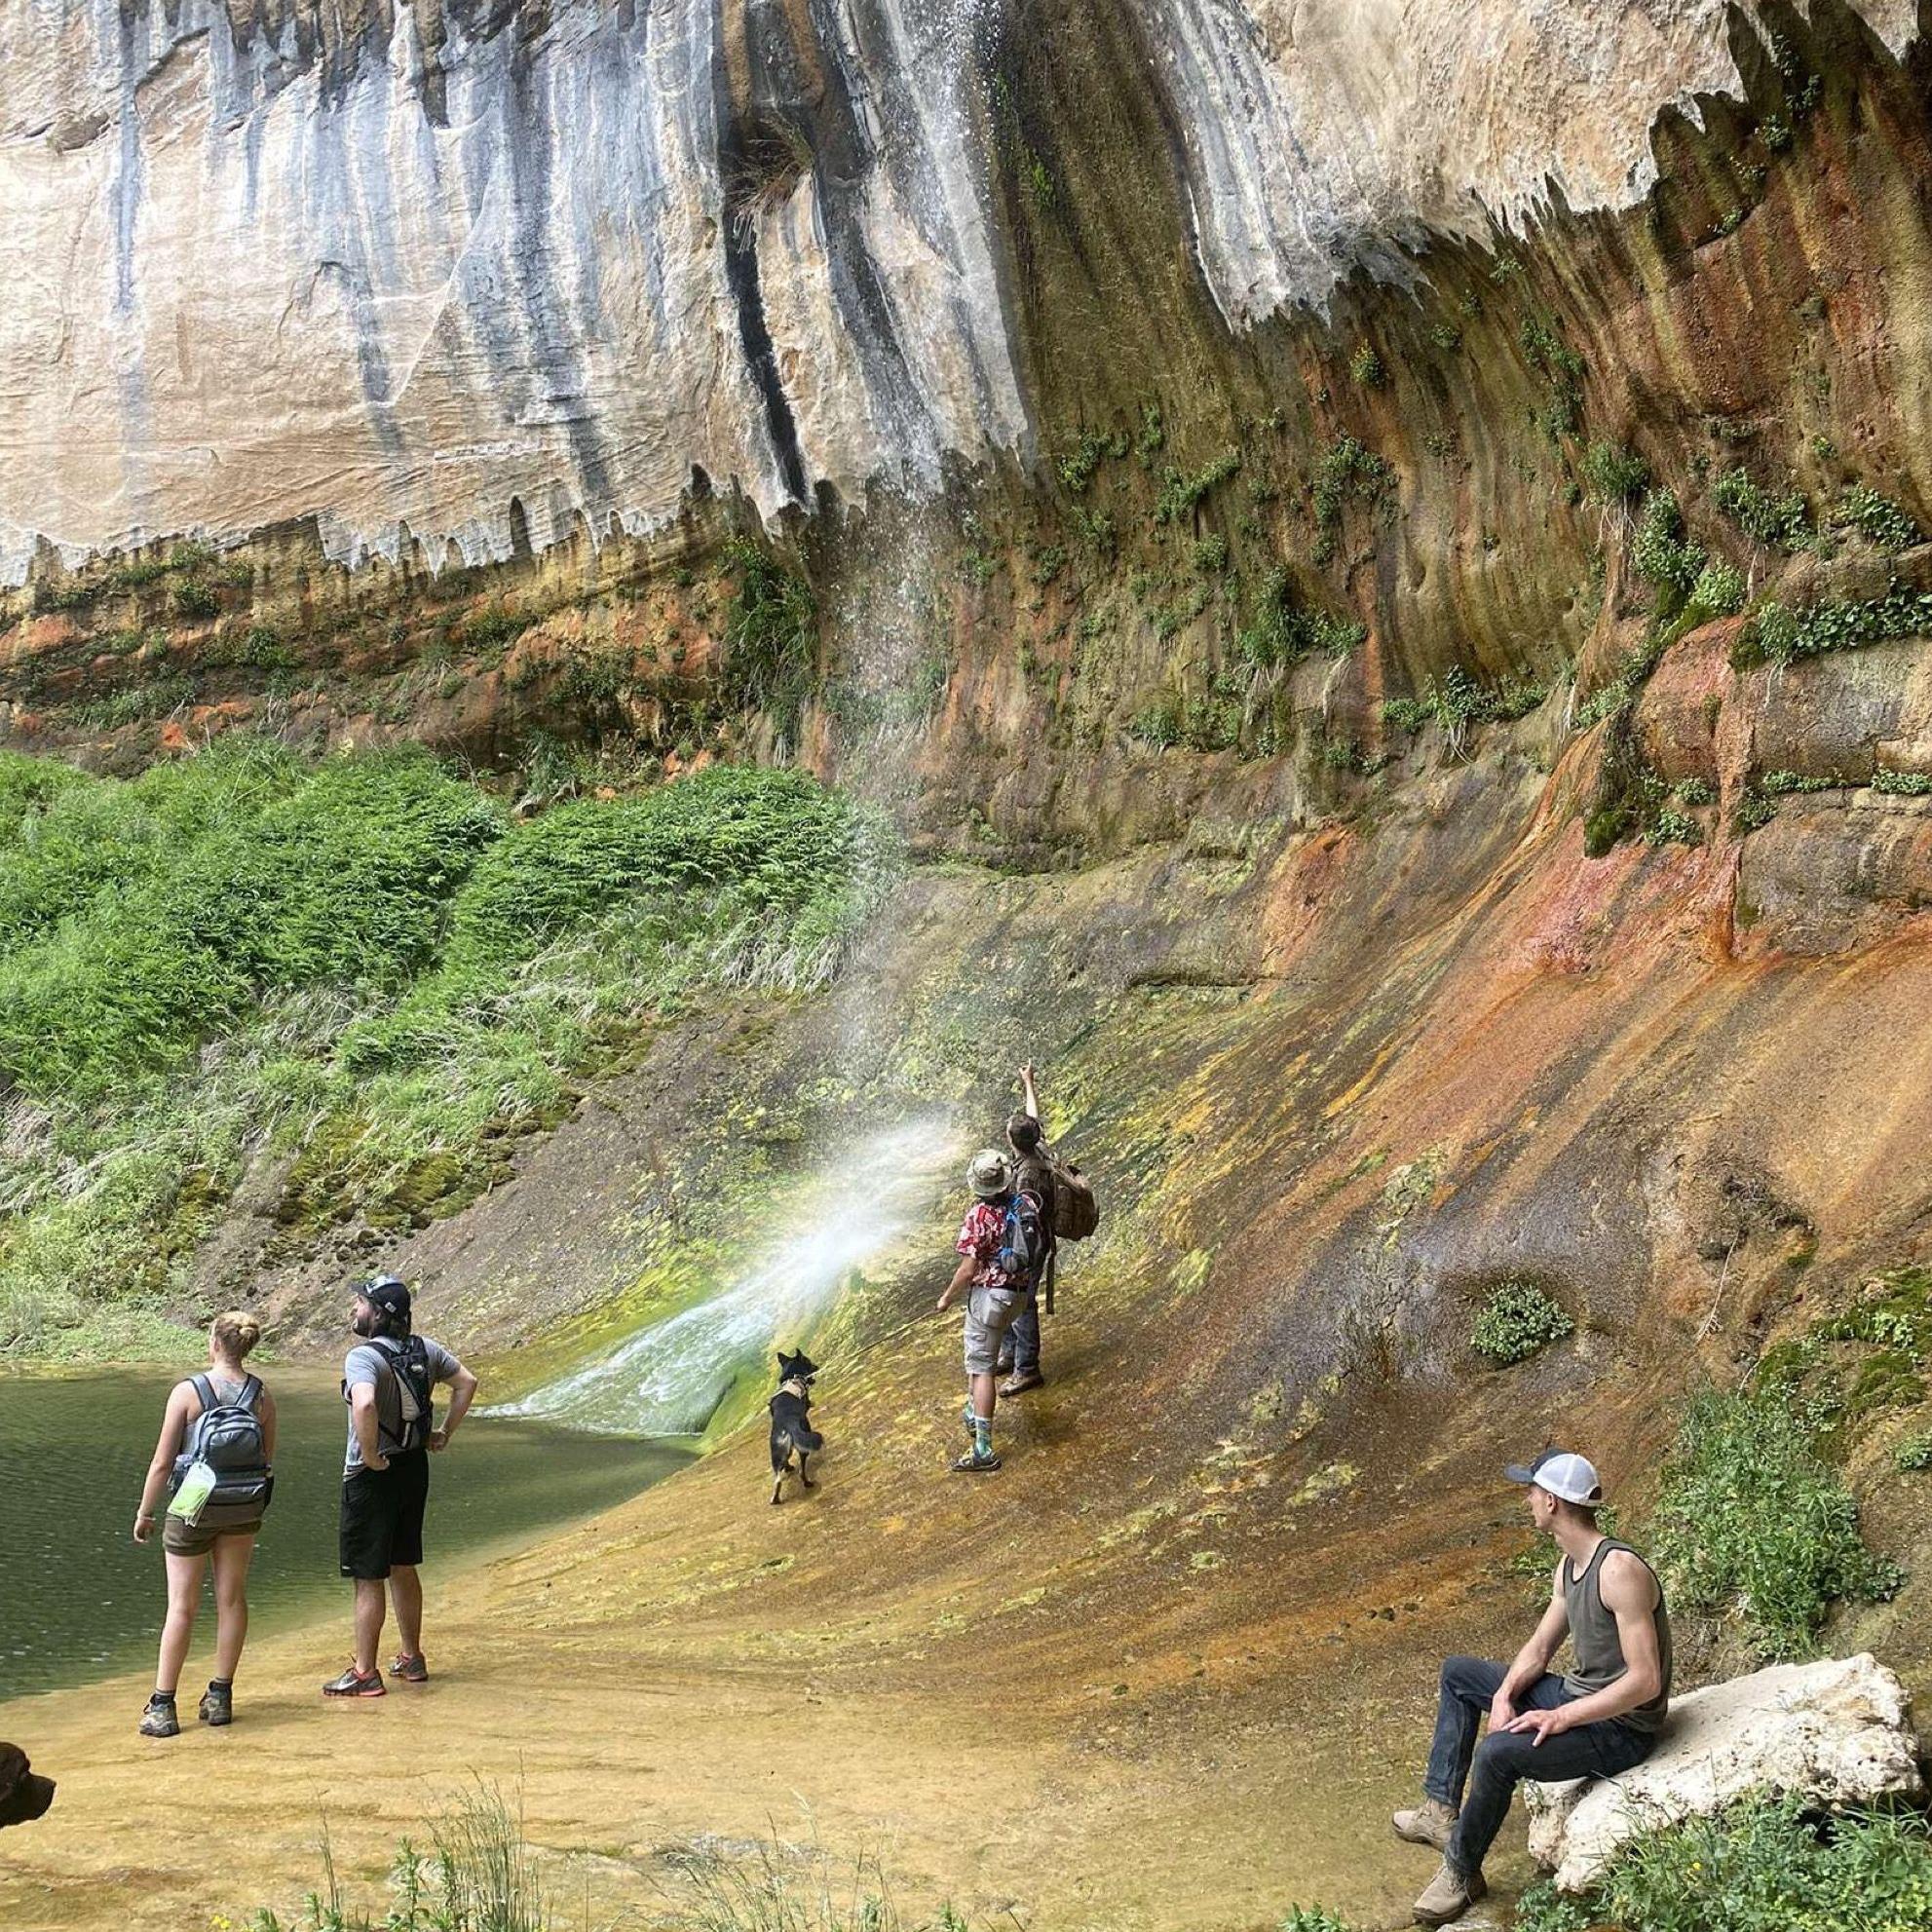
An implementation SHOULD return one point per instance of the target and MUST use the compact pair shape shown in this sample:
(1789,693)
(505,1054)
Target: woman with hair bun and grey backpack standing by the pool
(212,1460)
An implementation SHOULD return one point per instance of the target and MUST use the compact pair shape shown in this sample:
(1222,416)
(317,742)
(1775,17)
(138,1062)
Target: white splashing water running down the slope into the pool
(671,1377)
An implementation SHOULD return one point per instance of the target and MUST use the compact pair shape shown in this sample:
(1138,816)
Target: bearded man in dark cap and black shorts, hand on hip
(389,1382)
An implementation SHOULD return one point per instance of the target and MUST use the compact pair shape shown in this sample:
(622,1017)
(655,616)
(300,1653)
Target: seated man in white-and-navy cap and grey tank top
(1599,1720)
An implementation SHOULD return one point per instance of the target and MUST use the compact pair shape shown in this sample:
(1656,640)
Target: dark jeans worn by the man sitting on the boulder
(1504,1759)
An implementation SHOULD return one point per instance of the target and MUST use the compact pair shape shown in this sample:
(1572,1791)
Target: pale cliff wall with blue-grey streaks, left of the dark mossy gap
(246,289)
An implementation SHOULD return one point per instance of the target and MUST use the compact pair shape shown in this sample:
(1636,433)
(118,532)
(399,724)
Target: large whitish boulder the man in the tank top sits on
(1838,1732)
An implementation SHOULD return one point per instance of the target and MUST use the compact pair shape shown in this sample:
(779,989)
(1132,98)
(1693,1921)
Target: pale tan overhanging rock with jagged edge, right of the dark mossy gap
(1322,134)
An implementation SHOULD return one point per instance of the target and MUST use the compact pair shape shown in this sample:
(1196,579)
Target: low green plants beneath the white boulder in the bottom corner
(1765,1865)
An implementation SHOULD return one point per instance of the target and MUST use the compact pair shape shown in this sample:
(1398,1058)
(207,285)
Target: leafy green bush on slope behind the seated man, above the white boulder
(1753,1525)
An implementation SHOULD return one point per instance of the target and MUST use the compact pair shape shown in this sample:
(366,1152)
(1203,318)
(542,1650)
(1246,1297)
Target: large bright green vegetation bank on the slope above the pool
(364,963)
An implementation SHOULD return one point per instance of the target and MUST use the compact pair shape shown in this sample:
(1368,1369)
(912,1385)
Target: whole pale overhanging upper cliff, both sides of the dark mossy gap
(469,273)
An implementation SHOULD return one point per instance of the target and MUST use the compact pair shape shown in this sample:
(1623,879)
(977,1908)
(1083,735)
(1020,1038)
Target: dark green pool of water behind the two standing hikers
(80,1599)
